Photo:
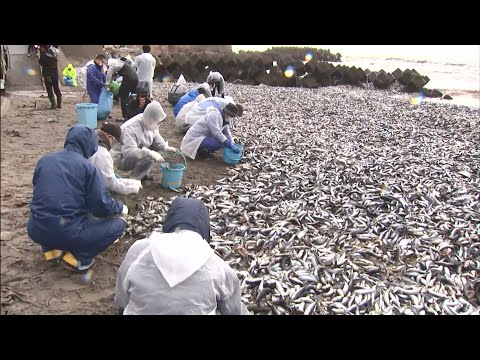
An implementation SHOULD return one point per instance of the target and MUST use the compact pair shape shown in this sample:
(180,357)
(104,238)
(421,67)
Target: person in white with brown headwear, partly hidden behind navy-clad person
(108,135)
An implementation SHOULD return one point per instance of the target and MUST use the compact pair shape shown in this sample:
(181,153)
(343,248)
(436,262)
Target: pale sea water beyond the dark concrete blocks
(461,80)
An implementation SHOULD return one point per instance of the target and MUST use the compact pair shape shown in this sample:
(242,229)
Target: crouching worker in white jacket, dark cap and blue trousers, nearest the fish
(210,132)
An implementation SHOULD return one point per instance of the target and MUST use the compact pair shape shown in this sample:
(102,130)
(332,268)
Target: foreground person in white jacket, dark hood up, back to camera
(176,272)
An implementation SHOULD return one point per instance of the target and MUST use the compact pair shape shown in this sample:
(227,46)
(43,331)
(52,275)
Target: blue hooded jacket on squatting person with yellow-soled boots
(66,187)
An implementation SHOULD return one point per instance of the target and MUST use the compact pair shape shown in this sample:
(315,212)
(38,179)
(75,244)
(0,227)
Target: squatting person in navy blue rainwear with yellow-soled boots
(67,190)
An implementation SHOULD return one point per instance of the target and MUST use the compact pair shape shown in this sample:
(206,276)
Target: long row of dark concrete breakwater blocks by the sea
(252,69)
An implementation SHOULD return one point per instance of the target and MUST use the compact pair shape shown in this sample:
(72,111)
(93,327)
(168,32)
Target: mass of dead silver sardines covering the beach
(348,201)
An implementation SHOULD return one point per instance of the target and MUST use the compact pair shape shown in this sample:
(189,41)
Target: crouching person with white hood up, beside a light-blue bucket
(140,142)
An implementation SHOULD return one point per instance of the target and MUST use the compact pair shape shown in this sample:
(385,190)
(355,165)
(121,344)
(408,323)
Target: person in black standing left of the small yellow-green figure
(49,63)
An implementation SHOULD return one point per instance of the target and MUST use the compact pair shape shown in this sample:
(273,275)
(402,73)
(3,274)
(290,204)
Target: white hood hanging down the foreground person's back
(179,255)
